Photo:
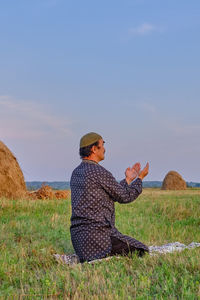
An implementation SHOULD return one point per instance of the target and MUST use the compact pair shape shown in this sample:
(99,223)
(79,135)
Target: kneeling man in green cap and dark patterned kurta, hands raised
(93,193)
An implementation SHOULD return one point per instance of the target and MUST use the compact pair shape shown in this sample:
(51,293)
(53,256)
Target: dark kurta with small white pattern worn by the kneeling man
(93,193)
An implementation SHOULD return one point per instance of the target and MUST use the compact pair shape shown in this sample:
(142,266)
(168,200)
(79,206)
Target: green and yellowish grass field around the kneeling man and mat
(32,230)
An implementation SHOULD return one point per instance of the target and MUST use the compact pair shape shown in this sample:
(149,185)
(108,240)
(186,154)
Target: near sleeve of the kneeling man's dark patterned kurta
(120,192)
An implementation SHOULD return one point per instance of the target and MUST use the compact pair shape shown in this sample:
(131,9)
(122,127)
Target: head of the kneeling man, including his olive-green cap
(92,147)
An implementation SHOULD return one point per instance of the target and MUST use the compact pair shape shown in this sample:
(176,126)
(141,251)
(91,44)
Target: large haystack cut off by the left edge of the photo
(12,184)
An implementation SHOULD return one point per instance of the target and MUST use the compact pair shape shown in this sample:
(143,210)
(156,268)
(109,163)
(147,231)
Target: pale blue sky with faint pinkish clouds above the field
(128,70)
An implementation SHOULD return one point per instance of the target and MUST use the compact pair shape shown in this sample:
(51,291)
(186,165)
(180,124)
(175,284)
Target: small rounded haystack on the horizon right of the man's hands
(173,181)
